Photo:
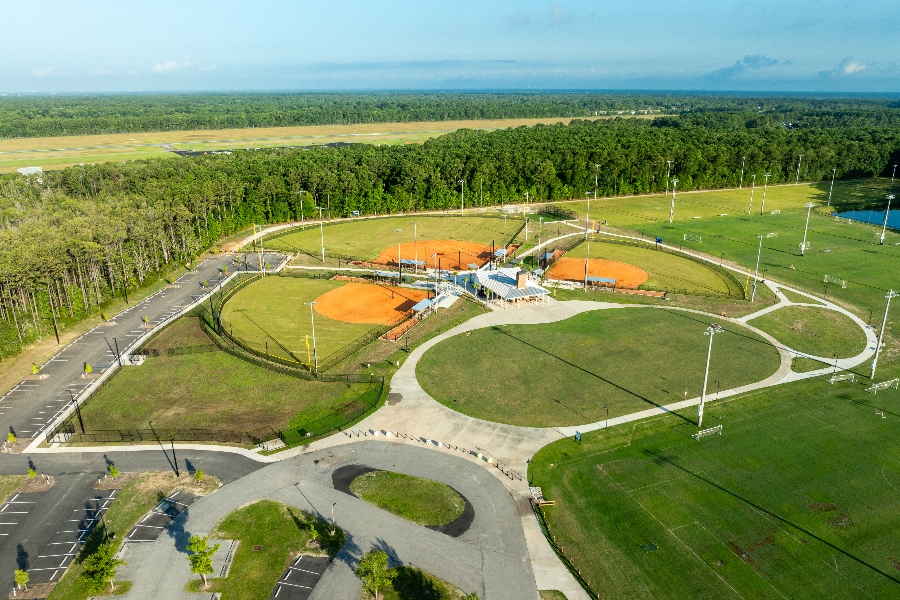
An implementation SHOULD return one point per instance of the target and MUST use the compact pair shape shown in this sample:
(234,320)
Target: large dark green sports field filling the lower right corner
(798,498)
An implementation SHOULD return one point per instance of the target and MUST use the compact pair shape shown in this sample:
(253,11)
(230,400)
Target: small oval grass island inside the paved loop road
(422,501)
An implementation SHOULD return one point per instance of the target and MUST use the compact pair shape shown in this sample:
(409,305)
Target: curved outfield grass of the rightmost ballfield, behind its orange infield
(666,271)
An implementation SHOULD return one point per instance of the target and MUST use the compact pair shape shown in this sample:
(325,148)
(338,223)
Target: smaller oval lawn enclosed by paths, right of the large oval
(817,331)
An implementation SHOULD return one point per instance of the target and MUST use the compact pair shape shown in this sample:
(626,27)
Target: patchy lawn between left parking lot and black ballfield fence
(211,390)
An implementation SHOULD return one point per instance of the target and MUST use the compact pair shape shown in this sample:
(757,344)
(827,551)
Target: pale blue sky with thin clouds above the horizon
(199,45)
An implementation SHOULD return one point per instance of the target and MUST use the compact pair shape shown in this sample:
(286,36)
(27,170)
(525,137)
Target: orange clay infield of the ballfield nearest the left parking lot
(368,303)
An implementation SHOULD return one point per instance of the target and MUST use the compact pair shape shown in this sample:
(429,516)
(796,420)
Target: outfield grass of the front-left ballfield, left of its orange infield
(269,314)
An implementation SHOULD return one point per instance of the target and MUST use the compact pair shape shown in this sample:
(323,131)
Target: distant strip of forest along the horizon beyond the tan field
(43,115)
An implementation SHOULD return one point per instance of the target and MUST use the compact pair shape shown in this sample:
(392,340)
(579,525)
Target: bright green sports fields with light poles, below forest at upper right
(845,251)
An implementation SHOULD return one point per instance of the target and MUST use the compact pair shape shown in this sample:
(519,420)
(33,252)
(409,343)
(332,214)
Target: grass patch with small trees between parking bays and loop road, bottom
(281,532)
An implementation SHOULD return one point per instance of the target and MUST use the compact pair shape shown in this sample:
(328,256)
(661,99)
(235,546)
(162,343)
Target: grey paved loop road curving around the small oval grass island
(490,558)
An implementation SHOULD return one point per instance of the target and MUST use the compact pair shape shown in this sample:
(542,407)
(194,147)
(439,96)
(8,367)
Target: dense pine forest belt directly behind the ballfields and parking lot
(71,240)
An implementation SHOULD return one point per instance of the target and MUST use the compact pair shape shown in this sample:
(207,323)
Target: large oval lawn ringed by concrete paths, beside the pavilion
(563,373)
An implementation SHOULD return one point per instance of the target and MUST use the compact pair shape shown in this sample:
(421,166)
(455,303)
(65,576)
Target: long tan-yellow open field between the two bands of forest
(63,151)
